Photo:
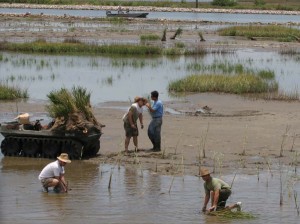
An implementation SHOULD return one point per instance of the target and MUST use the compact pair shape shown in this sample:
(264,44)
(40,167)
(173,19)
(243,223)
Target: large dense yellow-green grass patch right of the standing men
(237,84)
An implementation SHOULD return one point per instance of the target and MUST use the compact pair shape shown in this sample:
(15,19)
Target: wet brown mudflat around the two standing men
(239,133)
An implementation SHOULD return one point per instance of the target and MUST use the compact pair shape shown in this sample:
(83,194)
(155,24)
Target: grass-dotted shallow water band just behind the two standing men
(118,79)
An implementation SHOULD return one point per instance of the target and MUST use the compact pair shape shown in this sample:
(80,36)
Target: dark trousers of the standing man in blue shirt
(154,132)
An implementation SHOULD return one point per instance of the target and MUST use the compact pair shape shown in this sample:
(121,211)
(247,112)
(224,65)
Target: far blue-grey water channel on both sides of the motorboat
(213,17)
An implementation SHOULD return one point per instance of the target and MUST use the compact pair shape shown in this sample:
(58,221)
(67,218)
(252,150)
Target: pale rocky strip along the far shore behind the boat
(149,8)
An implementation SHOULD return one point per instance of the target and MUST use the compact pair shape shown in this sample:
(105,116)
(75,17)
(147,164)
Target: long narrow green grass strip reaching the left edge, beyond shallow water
(79,48)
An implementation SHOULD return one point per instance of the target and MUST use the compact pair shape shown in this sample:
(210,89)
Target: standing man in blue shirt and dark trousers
(154,129)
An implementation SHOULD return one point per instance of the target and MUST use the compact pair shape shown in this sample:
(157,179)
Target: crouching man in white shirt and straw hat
(53,174)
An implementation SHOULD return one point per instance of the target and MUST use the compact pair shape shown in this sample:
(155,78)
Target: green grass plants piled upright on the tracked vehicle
(64,102)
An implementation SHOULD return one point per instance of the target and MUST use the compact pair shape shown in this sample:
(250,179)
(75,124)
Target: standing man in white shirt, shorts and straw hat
(134,113)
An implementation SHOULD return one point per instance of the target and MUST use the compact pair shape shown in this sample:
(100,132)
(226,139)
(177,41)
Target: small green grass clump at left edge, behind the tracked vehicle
(12,93)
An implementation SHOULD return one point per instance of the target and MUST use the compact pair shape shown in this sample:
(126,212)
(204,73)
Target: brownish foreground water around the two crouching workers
(136,196)
